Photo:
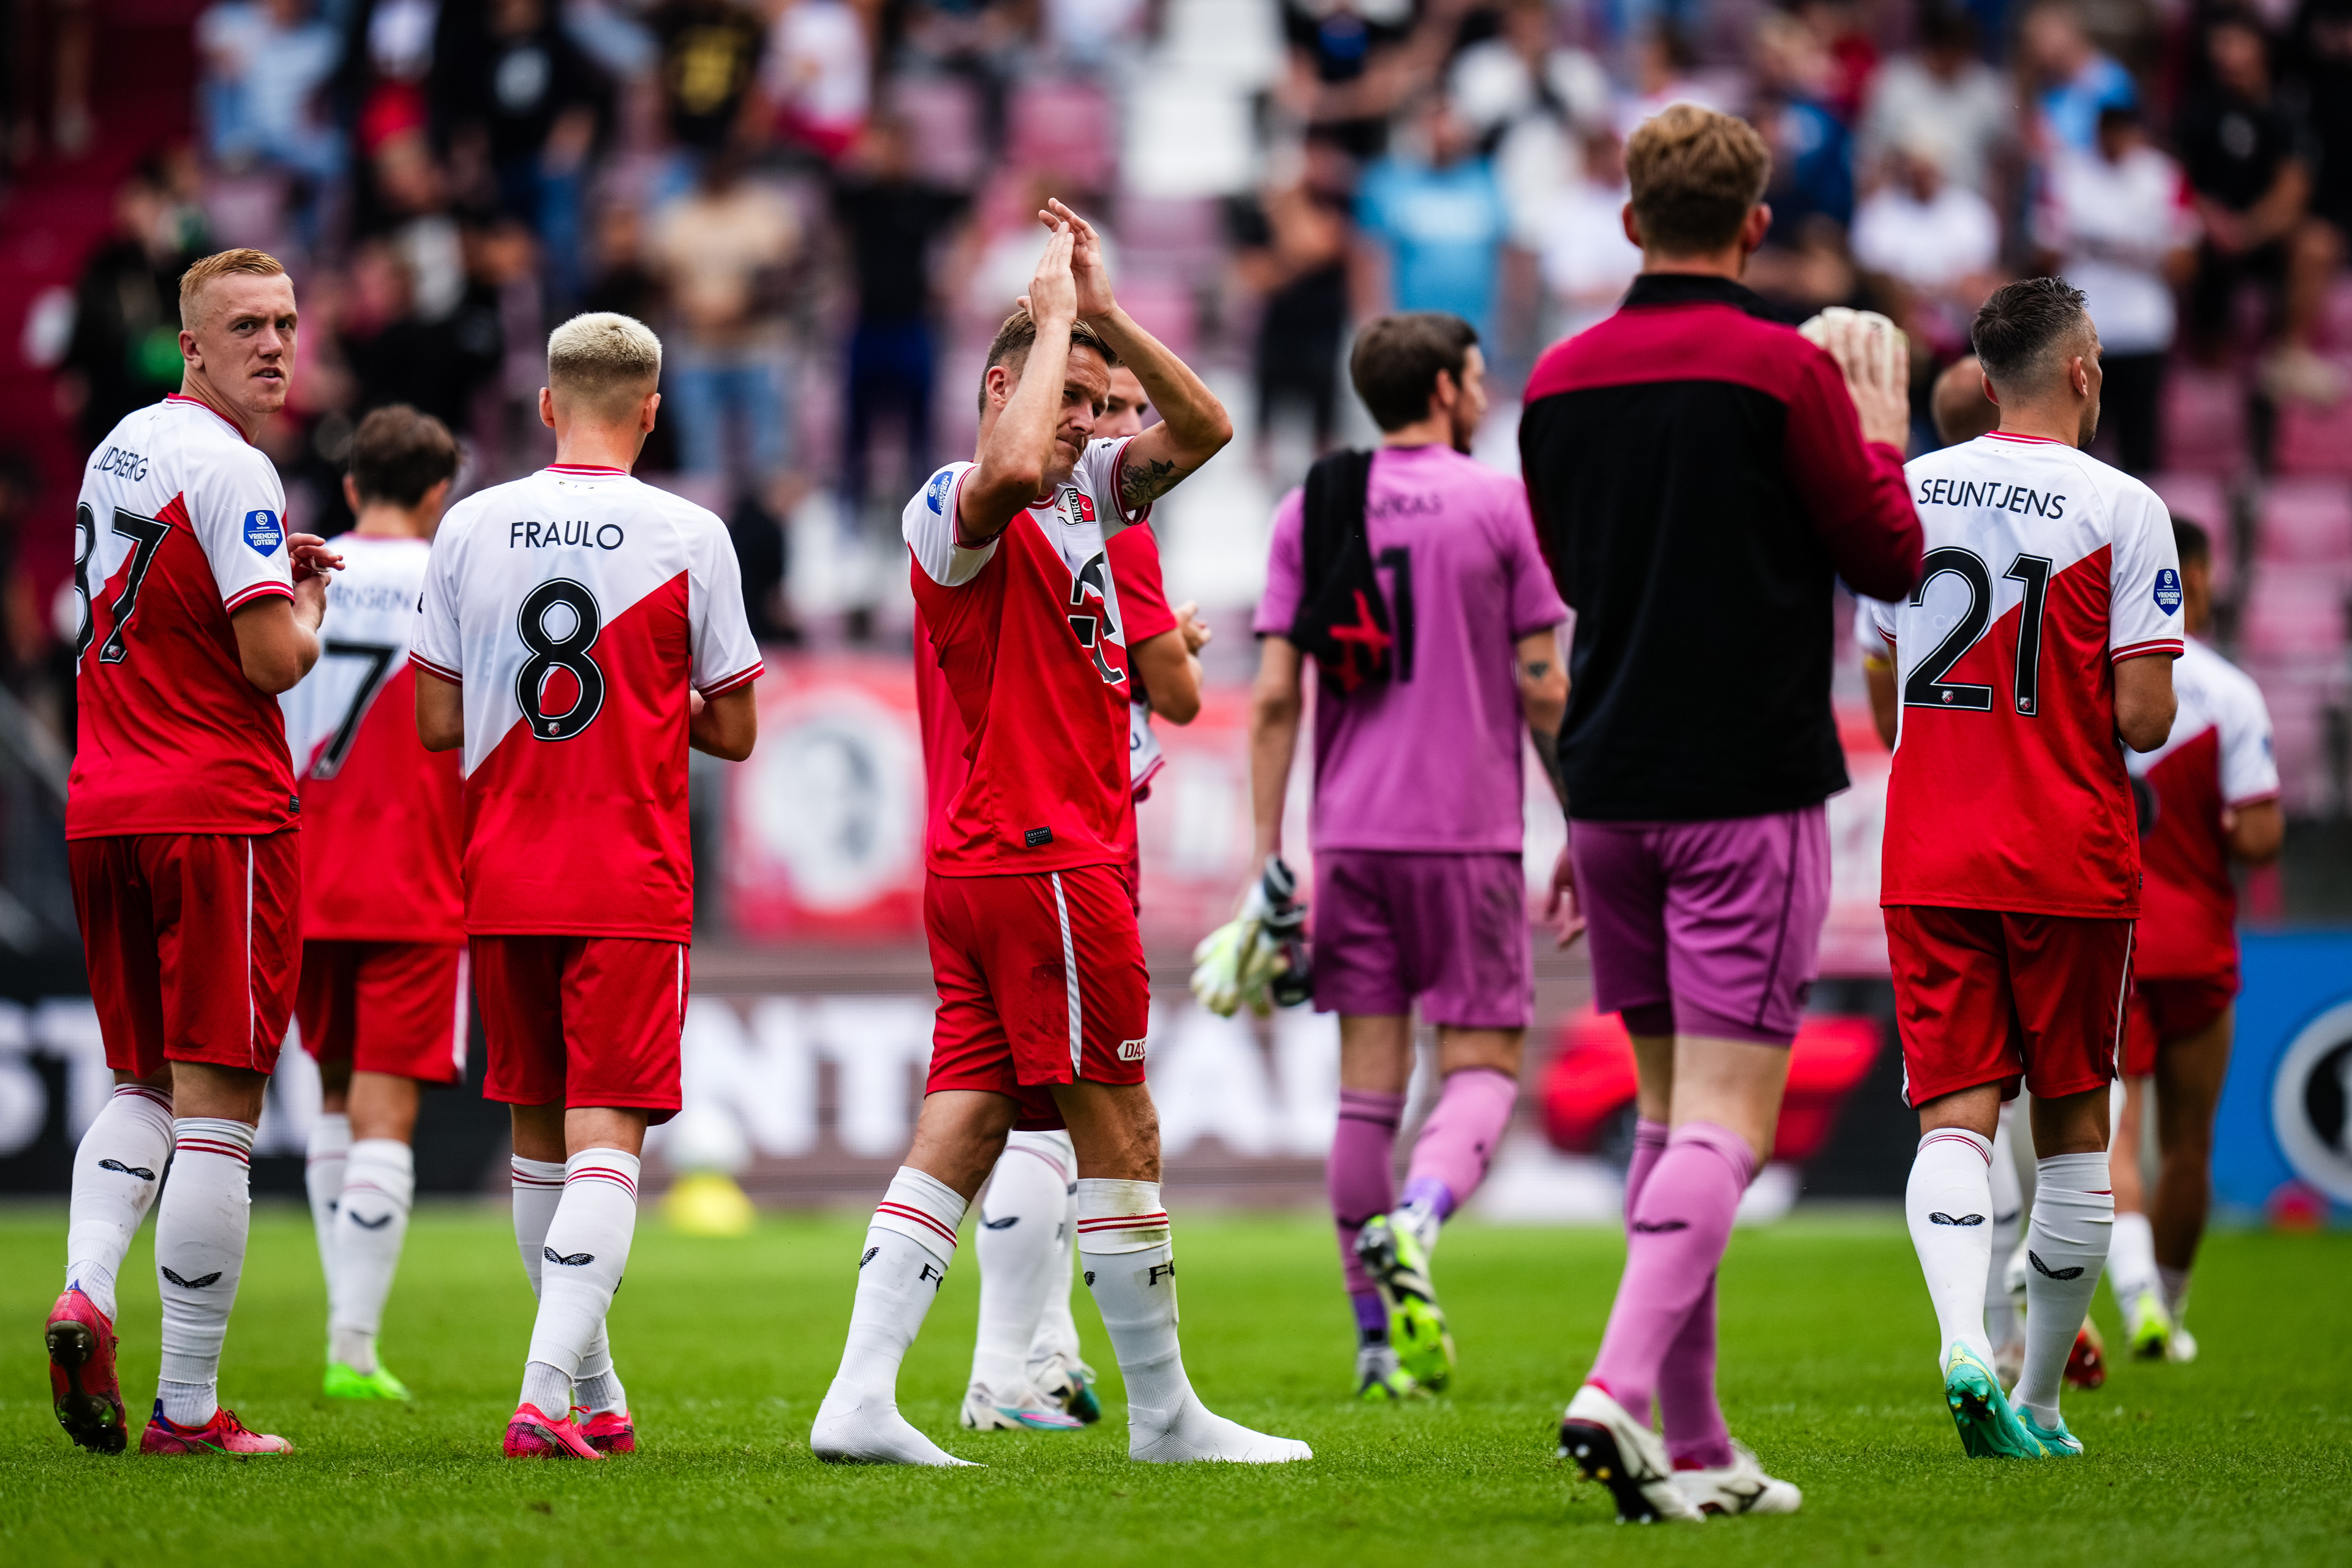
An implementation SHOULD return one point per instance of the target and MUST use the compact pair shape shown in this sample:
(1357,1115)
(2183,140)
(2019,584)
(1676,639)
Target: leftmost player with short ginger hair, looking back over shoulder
(180,831)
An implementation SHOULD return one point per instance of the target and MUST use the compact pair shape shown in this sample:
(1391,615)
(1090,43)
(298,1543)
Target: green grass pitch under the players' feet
(728,1346)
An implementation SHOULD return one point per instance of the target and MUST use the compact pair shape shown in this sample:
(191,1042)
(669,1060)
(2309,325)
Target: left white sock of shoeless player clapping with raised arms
(909,1249)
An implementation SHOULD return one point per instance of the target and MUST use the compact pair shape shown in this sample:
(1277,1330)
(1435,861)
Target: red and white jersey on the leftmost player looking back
(180,523)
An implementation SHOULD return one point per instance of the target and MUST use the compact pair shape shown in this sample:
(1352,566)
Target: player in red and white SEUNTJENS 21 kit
(2043,631)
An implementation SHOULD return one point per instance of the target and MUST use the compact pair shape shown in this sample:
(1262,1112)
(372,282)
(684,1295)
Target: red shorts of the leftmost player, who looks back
(192,944)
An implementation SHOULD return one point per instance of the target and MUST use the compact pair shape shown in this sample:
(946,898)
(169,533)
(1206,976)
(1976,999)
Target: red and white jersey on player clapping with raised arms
(1029,678)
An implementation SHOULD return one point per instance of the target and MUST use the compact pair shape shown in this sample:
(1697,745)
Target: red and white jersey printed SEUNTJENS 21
(2043,568)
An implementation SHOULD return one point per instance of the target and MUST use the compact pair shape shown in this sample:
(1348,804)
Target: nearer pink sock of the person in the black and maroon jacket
(1676,1238)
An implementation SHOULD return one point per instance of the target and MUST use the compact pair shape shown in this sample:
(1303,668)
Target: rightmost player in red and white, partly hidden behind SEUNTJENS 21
(2207,796)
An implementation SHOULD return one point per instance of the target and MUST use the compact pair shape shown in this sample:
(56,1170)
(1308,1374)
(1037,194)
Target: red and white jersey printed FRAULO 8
(575,608)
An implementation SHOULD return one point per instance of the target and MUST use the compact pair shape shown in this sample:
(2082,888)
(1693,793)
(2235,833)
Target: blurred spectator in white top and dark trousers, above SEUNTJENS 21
(2120,225)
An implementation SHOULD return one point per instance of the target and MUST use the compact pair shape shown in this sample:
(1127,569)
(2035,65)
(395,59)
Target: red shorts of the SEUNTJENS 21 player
(1991,998)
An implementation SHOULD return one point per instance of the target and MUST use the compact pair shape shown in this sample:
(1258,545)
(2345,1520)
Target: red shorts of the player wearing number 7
(387,1007)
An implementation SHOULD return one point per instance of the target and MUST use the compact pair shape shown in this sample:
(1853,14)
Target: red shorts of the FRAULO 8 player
(582,1021)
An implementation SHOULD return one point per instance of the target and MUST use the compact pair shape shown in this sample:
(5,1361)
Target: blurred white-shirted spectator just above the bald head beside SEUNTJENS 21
(1932,243)
